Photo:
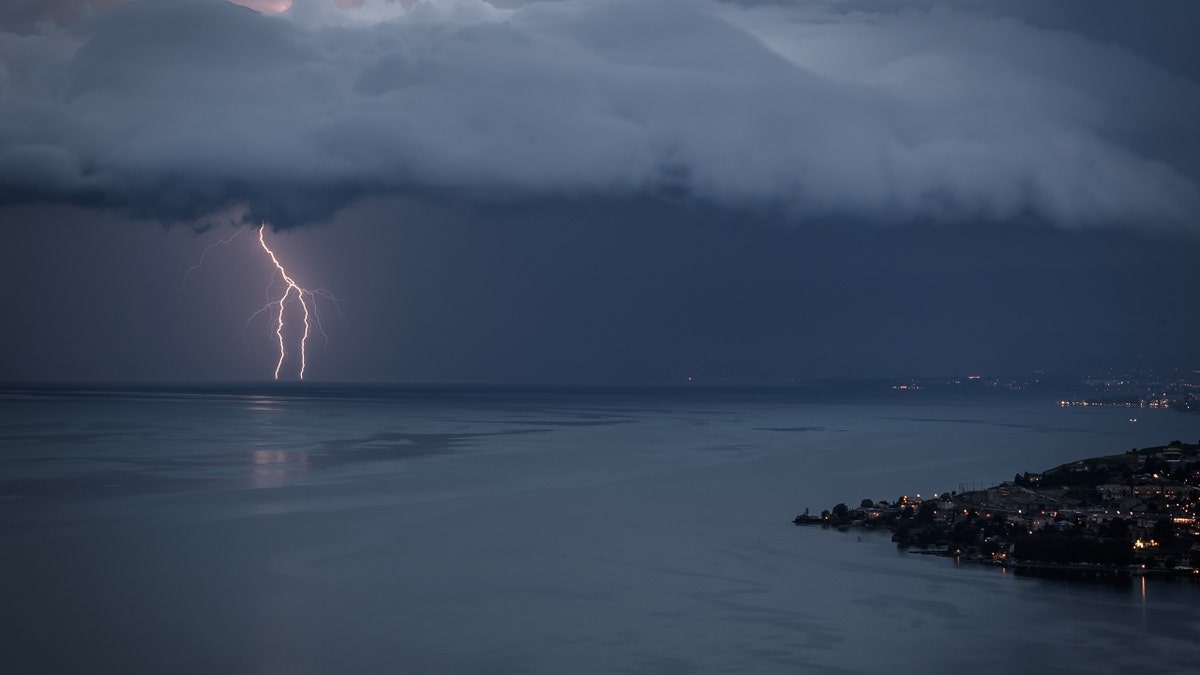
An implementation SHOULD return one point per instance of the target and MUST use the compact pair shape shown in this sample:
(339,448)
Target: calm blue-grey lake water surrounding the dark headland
(485,531)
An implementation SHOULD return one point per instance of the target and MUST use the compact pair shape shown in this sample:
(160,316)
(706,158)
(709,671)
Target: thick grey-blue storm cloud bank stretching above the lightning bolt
(181,110)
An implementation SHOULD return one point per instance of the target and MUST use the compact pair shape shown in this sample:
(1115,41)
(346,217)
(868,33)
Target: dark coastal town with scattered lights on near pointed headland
(1107,517)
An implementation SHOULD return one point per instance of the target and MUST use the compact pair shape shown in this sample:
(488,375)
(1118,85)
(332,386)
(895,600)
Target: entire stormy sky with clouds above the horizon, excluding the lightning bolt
(599,192)
